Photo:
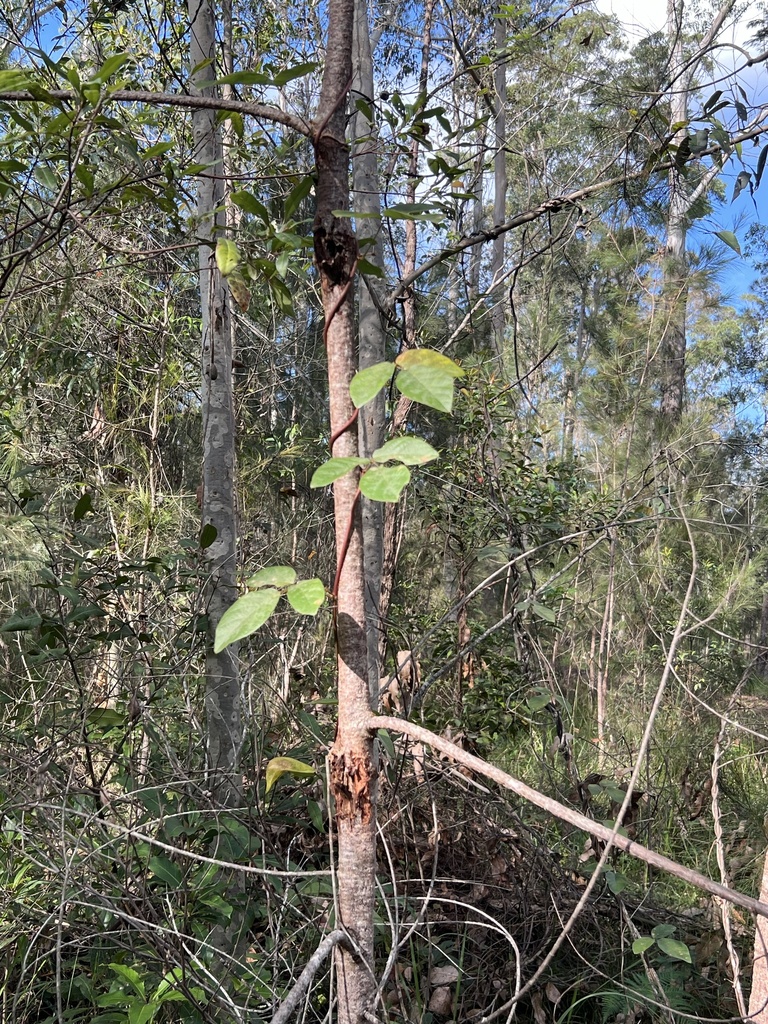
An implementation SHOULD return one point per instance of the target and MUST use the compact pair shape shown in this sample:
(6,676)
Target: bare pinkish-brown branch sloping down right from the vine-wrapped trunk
(560,810)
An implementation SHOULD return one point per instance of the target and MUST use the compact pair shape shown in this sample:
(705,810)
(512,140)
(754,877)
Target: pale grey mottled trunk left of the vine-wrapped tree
(219,507)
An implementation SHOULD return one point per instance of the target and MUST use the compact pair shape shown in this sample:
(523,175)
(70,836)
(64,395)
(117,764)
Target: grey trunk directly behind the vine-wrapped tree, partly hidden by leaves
(372,334)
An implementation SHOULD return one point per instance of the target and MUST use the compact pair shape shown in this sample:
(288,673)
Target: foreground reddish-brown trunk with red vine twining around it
(352,758)
